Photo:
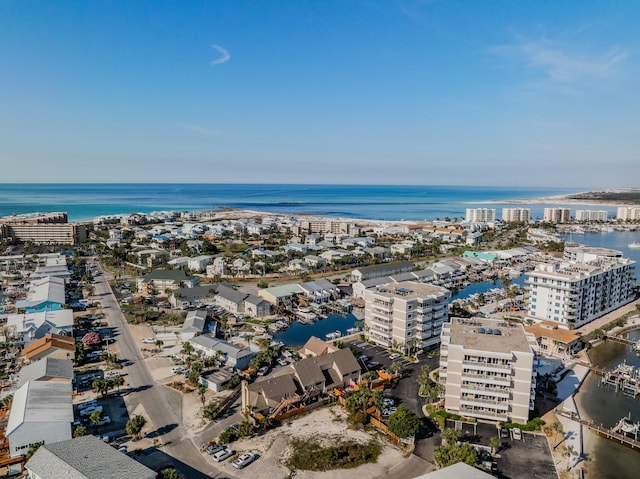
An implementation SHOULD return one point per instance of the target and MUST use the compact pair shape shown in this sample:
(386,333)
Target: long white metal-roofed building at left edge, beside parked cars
(41,411)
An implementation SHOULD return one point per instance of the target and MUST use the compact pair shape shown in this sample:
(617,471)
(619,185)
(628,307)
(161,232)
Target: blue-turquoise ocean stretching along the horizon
(86,201)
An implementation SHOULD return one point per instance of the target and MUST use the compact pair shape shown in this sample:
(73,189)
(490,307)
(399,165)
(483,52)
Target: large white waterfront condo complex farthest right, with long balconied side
(590,284)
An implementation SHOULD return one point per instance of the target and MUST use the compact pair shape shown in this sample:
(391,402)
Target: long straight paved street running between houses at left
(162,406)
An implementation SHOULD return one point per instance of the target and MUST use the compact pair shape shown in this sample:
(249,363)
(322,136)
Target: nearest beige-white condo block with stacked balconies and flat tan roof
(486,368)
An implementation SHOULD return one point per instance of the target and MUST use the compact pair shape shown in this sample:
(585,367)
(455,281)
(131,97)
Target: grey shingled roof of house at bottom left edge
(85,457)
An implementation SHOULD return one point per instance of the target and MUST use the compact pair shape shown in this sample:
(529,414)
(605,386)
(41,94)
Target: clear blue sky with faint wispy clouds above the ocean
(540,93)
